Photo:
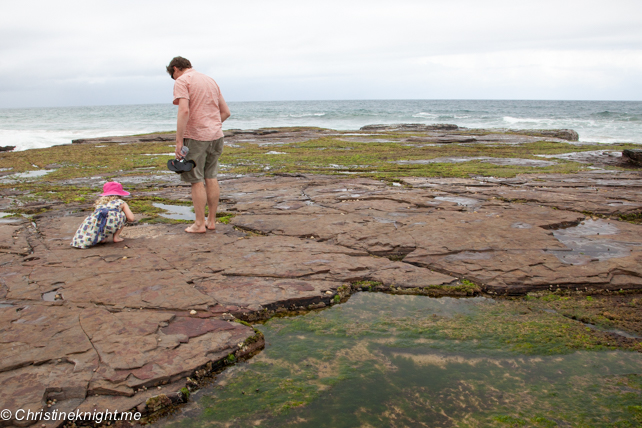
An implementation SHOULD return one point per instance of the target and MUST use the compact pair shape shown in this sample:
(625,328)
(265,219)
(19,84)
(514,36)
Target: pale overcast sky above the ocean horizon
(75,53)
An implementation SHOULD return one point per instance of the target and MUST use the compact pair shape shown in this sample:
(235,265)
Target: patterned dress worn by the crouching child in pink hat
(105,220)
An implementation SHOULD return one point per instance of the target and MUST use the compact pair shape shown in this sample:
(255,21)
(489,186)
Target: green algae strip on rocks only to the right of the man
(330,155)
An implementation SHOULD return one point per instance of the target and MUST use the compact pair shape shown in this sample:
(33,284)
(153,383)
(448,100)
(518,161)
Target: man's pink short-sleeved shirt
(204,123)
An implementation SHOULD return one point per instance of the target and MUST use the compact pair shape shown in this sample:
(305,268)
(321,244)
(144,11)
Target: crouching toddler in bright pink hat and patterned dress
(109,216)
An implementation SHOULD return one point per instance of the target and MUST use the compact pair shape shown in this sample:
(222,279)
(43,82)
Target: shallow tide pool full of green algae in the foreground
(382,360)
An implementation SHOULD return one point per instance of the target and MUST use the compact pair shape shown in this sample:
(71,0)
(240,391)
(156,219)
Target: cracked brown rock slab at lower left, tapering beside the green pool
(70,352)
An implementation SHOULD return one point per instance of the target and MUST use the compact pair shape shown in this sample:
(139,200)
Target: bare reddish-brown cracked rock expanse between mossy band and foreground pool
(103,327)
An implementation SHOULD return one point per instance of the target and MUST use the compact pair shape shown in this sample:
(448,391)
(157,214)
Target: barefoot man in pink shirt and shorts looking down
(201,113)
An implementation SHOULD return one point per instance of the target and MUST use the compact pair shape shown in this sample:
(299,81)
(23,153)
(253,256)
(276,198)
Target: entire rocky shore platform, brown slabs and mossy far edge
(139,324)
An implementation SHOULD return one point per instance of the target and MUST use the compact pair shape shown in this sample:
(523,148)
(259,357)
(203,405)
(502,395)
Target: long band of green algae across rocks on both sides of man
(326,155)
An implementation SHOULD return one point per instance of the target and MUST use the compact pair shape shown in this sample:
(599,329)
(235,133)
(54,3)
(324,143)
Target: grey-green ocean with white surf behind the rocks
(595,121)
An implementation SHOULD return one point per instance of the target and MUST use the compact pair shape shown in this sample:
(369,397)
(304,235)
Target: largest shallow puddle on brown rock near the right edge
(583,249)
